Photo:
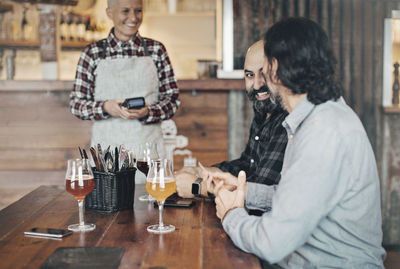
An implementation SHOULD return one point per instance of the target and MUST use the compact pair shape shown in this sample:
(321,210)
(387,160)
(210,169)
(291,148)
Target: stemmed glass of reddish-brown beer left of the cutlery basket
(79,182)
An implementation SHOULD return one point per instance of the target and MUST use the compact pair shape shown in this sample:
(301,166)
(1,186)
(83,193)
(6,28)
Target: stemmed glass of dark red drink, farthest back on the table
(147,152)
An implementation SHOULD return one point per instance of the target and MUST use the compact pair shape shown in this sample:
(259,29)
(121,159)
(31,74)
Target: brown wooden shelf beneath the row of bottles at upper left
(35,44)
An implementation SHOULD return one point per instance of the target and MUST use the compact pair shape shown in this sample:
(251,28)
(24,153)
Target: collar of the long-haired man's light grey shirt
(298,115)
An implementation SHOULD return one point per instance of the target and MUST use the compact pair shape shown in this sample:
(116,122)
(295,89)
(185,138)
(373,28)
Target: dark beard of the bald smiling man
(263,107)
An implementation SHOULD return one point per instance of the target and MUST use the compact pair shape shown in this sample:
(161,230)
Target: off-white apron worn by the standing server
(125,78)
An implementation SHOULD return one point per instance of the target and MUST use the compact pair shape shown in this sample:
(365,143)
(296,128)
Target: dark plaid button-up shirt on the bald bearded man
(263,157)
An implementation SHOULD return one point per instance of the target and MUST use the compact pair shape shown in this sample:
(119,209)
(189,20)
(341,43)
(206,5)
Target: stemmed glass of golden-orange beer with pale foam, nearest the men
(160,183)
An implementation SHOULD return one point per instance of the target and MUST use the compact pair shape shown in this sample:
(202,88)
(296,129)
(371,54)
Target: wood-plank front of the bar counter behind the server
(38,132)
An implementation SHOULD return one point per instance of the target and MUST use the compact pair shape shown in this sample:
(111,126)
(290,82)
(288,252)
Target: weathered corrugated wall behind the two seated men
(355,28)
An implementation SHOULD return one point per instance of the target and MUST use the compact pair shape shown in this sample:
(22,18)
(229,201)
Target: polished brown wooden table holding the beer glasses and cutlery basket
(198,242)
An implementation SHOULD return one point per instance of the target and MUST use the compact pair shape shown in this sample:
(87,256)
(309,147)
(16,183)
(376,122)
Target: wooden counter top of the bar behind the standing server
(66,85)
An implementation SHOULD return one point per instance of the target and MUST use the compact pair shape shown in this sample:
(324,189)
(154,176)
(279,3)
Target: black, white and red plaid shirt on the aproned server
(82,102)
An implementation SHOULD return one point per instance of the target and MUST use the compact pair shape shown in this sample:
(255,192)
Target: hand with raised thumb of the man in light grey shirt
(226,200)
